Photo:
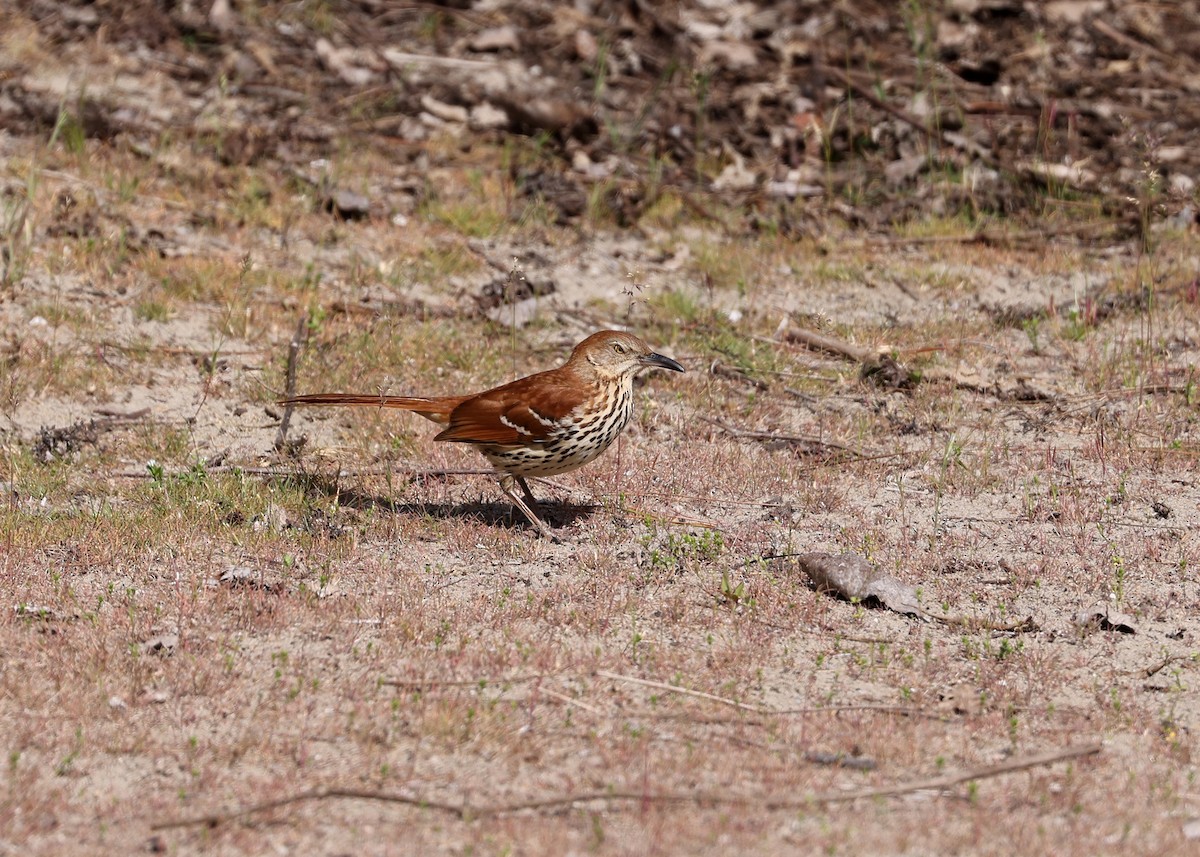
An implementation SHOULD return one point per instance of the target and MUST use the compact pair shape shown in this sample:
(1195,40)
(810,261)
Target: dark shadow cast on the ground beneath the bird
(501,514)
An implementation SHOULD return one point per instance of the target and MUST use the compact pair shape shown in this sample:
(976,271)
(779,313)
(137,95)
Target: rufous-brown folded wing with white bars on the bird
(527,411)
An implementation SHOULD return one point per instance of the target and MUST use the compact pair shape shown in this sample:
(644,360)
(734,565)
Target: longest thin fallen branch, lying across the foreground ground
(466,812)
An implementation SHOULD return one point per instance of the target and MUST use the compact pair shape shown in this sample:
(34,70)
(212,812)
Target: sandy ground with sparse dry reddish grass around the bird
(392,632)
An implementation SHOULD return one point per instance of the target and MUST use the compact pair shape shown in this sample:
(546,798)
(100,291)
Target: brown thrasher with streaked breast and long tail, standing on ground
(542,425)
